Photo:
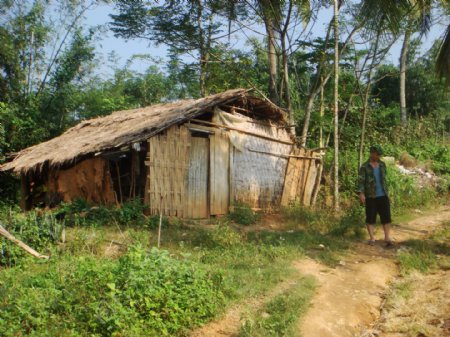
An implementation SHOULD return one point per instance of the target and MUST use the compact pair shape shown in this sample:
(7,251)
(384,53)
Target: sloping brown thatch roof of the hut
(126,127)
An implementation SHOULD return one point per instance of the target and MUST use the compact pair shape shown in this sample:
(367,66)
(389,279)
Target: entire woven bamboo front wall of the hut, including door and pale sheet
(193,176)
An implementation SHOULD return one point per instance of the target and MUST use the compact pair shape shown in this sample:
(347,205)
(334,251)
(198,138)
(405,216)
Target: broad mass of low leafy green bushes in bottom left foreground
(143,293)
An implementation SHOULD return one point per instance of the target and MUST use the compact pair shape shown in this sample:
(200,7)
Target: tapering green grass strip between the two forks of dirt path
(279,316)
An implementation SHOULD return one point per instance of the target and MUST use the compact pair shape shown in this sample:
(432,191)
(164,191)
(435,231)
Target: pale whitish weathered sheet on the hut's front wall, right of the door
(257,178)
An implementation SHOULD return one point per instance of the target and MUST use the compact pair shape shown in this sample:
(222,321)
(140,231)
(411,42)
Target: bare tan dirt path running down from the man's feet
(349,297)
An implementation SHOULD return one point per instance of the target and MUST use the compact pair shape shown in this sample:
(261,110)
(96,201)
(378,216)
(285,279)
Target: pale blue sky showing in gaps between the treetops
(126,49)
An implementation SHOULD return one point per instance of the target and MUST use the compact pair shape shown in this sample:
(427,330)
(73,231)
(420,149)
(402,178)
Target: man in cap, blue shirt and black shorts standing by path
(374,195)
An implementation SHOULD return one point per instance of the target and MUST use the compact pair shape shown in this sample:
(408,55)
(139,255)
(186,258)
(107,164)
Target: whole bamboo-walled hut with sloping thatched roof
(191,158)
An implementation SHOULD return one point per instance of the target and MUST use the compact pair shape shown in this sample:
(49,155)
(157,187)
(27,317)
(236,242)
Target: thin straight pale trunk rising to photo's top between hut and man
(336,107)
